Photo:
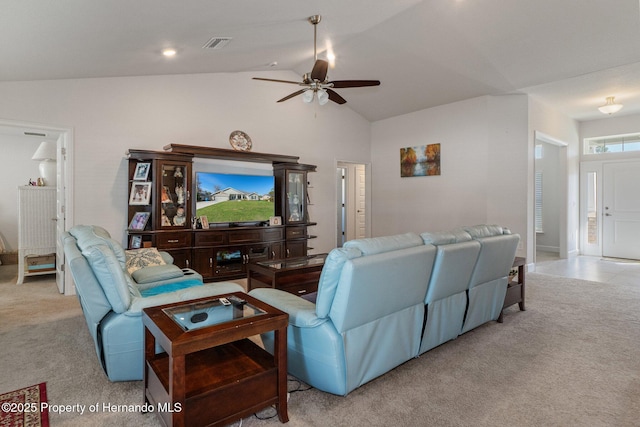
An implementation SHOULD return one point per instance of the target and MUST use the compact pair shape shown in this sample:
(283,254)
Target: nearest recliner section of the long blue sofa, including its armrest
(368,314)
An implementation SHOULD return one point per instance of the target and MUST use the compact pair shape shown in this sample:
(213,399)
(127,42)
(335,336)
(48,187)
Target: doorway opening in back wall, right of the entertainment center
(352,211)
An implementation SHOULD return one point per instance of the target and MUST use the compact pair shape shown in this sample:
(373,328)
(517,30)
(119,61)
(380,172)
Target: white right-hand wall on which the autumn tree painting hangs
(483,167)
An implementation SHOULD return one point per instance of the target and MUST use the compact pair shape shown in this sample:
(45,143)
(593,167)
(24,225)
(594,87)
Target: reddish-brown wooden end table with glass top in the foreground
(210,373)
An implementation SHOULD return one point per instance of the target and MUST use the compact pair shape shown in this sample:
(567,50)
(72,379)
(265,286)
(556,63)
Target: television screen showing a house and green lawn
(229,198)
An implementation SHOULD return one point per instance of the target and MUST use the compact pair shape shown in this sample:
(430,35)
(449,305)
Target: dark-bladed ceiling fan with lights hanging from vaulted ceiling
(316,83)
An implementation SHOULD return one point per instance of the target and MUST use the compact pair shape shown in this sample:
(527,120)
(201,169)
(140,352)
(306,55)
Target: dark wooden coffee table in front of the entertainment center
(298,276)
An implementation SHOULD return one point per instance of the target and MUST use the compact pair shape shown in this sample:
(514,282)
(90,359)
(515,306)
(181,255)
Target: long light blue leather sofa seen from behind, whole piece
(384,300)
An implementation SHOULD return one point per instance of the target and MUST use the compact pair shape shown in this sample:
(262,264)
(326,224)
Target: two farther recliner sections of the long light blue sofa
(469,280)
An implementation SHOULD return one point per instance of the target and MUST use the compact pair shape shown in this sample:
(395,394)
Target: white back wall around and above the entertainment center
(111,115)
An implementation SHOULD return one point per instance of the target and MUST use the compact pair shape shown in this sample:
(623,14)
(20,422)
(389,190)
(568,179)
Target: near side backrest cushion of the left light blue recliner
(111,276)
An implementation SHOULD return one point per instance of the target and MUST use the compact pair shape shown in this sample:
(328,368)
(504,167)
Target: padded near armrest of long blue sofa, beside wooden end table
(302,313)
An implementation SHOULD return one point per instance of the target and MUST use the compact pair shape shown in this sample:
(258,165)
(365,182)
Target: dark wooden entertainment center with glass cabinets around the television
(161,212)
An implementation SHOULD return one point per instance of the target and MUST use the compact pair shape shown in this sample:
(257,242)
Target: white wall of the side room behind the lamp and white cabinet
(17,169)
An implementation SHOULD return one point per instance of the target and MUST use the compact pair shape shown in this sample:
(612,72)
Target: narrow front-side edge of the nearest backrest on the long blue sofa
(330,276)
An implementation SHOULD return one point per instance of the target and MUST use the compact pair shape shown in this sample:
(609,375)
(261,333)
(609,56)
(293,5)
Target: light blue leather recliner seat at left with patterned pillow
(112,299)
